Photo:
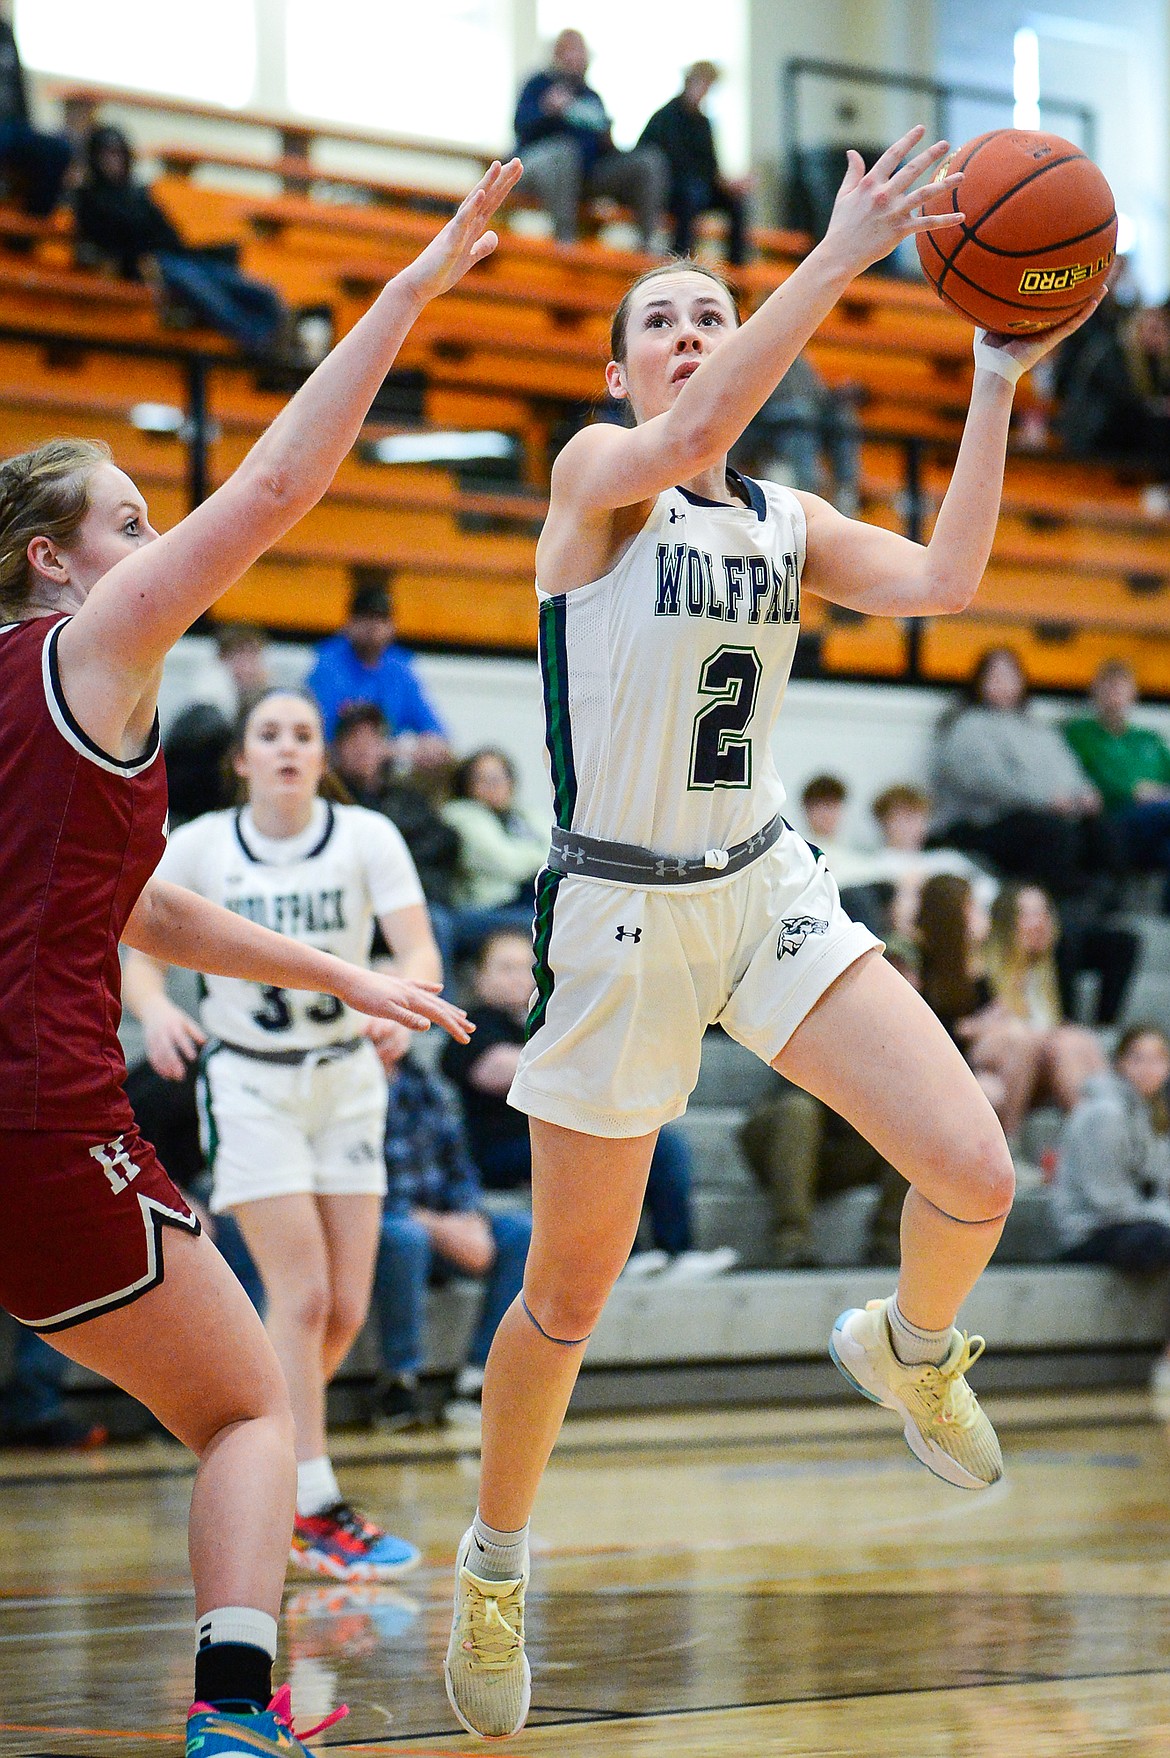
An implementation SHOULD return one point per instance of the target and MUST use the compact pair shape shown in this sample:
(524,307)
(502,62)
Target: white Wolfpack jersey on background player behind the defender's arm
(324,889)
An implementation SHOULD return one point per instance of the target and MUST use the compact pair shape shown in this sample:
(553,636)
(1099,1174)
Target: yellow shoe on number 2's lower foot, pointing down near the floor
(489,1682)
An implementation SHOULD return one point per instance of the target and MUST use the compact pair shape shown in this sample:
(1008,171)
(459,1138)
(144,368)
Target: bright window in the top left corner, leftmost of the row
(143,45)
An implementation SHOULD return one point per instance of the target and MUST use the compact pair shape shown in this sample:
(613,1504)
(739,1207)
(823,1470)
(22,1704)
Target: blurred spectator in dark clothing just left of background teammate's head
(199,739)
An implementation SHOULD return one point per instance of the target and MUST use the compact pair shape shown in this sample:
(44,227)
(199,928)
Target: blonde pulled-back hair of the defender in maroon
(43,495)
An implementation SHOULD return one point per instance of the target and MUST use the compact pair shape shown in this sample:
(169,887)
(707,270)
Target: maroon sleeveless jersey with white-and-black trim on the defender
(80,836)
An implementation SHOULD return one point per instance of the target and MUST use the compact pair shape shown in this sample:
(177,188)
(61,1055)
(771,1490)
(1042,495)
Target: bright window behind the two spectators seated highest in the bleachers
(640,54)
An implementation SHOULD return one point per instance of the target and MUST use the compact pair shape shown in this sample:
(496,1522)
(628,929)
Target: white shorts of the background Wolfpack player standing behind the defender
(275,1131)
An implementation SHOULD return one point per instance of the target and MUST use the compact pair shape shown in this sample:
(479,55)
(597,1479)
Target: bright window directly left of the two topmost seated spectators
(440,69)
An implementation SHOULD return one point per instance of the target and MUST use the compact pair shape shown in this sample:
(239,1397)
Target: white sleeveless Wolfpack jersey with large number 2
(663,679)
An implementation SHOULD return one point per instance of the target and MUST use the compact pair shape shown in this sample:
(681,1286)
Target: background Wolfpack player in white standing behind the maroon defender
(292,1089)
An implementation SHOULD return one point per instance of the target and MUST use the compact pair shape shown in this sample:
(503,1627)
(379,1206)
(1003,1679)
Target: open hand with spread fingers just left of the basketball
(877,208)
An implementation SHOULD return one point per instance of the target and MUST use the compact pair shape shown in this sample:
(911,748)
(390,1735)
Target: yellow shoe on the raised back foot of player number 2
(944,1425)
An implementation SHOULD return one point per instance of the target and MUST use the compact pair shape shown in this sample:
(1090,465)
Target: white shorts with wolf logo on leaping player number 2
(630,978)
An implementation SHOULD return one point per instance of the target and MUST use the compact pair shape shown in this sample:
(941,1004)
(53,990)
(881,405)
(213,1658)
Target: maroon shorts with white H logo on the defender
(82,1224)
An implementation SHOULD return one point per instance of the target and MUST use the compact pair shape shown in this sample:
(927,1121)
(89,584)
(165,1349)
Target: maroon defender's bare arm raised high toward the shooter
(148,600)
